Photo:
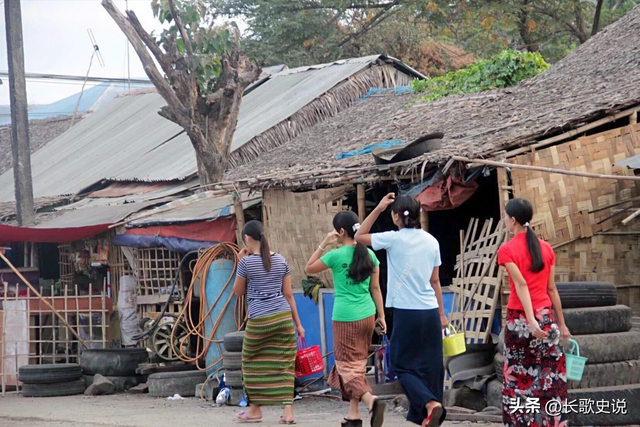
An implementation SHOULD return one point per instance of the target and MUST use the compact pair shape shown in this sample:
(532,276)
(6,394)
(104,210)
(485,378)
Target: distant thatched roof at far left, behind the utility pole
(40,133)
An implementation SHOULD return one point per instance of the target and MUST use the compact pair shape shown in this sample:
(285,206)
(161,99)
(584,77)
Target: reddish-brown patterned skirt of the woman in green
(351,343)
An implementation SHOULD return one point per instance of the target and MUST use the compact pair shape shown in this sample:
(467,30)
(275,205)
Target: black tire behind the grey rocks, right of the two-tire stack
(121,362)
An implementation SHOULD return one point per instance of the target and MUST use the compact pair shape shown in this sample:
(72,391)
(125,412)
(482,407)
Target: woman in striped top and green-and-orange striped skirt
(269,348)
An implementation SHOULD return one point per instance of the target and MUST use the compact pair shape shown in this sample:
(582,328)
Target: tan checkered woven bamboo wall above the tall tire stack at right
(562,204)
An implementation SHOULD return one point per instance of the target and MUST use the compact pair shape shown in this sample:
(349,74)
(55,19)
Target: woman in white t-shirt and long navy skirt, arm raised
(414,292)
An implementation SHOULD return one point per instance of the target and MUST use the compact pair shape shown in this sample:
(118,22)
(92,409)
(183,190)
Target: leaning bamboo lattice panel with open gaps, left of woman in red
(478,281)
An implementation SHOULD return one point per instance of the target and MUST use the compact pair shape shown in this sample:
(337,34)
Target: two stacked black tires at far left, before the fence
(51,380)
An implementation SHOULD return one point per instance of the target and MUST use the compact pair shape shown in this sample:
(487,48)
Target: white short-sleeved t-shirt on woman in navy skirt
(412,254)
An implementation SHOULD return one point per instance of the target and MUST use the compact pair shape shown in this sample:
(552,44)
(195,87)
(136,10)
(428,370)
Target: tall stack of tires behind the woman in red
(607,337)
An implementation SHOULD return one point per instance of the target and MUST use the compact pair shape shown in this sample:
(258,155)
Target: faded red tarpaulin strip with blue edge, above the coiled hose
(220,230)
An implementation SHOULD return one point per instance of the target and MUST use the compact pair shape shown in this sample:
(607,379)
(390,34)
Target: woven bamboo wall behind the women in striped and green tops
(296,223)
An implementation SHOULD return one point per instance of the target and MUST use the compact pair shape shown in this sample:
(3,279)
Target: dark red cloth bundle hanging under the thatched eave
(449,193)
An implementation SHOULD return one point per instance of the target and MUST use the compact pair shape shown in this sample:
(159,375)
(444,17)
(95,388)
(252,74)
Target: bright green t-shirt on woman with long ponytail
(353,300)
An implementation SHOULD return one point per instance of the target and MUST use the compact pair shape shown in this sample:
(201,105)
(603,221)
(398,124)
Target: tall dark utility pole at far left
(19,115)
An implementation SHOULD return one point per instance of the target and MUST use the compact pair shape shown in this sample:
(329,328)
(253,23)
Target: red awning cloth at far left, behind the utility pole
(10,234)
